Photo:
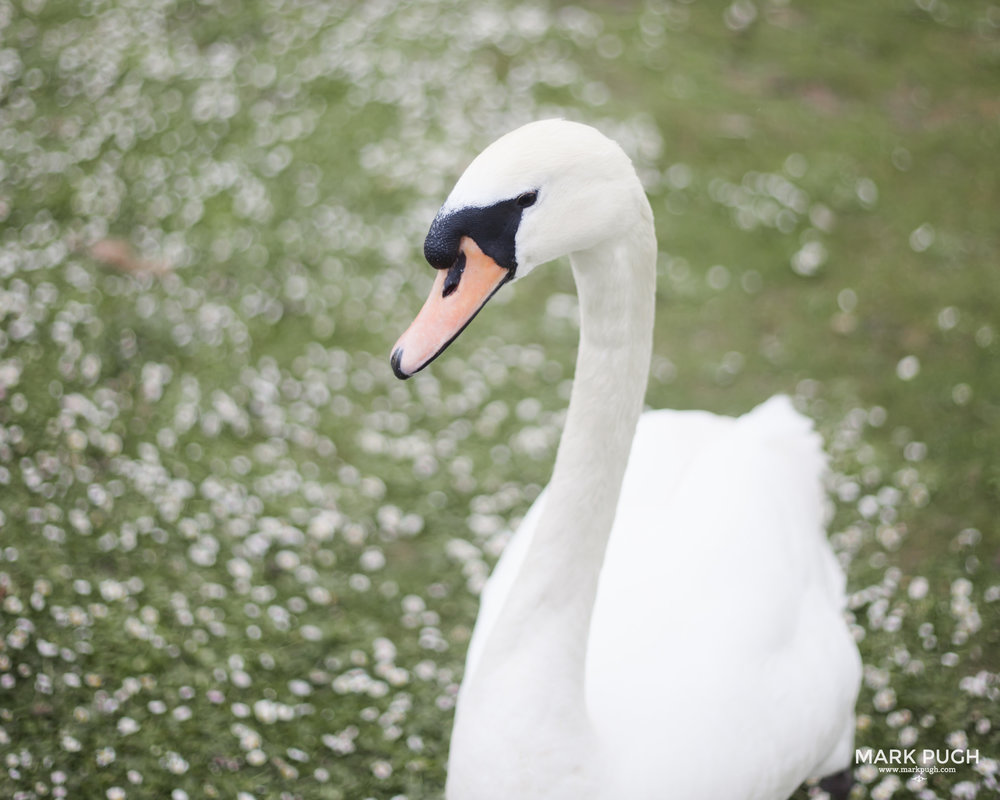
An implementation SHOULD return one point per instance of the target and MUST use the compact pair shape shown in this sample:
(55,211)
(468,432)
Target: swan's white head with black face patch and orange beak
(545,190)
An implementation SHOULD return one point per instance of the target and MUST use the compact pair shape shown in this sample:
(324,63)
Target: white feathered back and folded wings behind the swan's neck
(718,619)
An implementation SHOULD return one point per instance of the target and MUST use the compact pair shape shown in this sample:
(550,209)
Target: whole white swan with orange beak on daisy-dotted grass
(668,619)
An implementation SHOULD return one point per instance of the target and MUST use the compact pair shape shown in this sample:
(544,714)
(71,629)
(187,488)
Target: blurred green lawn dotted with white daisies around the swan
(239,559)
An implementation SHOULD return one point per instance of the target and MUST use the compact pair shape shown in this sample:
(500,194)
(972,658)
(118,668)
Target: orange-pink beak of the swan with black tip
(456,297)
